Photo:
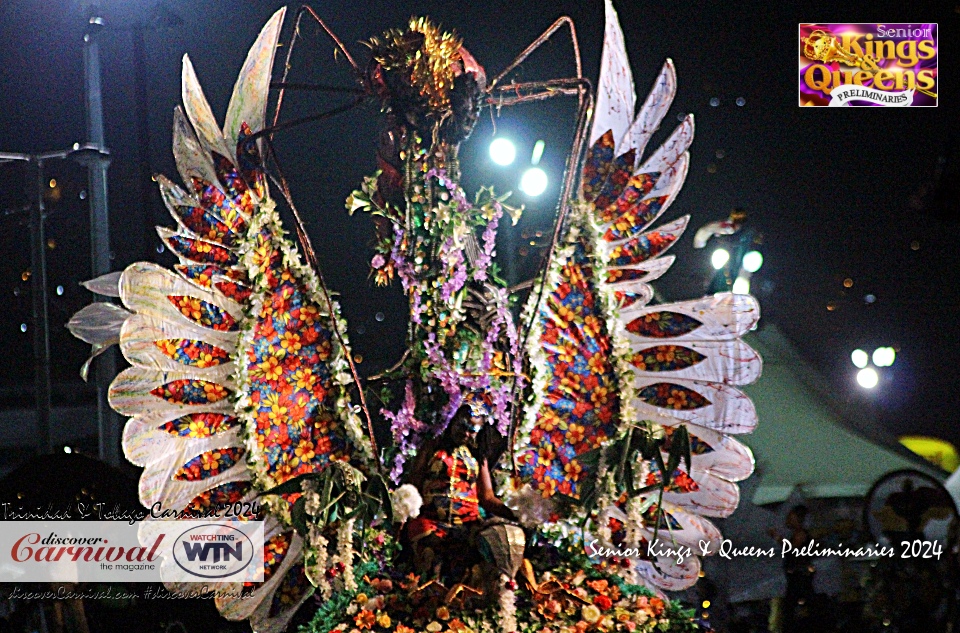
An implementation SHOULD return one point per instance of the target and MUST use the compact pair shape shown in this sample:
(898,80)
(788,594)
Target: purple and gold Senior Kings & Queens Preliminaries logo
(868,65)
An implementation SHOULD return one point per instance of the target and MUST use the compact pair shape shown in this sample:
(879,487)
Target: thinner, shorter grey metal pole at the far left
(41,322)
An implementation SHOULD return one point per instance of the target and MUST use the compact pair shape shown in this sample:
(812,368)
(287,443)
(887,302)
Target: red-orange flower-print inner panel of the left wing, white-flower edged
(294,365)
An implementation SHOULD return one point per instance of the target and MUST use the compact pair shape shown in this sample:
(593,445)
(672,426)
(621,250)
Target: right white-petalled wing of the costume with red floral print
(603,359)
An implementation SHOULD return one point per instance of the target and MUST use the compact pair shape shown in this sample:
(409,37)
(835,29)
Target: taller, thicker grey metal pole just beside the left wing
(106,364)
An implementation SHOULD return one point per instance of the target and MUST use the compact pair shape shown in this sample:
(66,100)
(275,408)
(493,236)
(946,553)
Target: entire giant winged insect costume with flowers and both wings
(511,449)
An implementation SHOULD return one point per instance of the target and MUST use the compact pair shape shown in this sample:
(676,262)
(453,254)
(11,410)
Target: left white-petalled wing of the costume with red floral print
(237,381)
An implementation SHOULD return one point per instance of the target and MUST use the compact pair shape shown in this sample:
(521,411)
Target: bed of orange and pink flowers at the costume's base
(585,597)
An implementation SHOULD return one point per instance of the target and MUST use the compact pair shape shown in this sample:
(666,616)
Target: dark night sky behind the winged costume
(836,193)
